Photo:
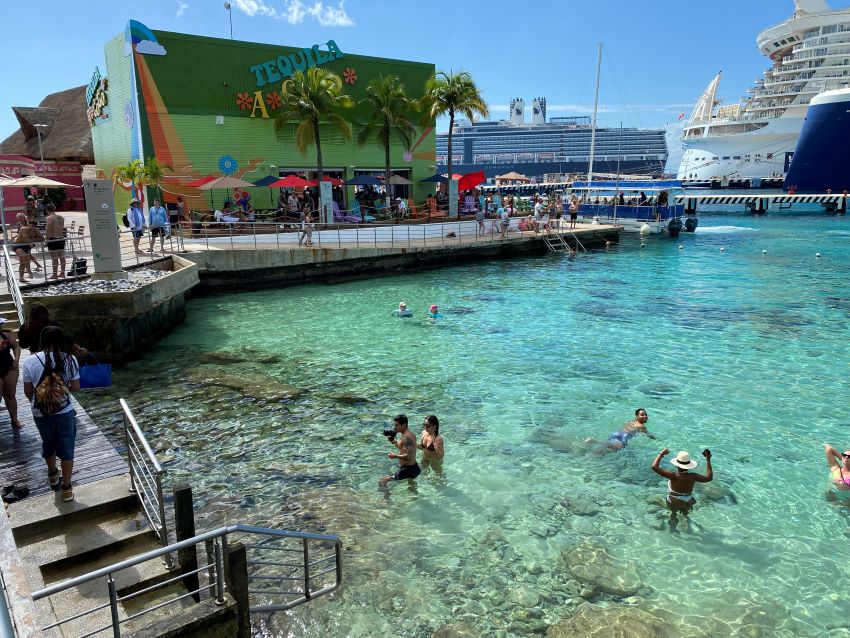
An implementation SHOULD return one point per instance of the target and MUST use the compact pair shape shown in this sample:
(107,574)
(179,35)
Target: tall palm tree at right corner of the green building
(449,94)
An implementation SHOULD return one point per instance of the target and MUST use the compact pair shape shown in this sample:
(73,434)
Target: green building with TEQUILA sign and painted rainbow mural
(206,107)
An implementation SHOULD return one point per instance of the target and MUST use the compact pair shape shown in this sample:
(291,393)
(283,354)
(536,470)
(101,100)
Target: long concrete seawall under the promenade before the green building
(235,267)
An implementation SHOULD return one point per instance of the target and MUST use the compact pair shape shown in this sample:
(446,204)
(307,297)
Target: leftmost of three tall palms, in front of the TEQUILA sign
(312,98)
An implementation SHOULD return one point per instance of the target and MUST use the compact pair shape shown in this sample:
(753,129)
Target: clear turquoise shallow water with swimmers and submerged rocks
(271,404)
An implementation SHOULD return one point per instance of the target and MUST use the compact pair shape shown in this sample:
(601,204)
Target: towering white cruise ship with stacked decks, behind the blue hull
(756,137)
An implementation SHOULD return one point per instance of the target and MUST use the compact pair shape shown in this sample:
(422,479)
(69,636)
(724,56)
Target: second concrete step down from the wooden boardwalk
(80,542)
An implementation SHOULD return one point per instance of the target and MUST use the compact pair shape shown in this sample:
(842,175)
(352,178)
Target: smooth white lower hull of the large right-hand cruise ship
(761,153)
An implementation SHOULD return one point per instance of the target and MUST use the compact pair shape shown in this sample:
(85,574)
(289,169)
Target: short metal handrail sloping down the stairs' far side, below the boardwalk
(145,467)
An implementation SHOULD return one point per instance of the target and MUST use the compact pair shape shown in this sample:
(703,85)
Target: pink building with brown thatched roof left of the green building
(65,141)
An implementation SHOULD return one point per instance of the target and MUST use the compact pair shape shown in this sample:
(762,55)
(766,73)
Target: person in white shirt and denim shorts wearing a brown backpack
(50,376)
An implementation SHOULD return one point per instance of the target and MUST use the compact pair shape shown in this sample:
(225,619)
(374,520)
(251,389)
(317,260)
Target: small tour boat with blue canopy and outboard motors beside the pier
(647,207)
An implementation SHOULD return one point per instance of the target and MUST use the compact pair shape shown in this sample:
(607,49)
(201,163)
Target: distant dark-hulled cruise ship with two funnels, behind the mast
(560,146)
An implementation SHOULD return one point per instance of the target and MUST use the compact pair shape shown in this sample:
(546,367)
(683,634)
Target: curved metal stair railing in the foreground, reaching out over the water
(274,558)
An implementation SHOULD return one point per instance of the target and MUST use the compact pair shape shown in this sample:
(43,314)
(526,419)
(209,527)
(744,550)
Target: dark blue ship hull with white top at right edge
(821,163)
